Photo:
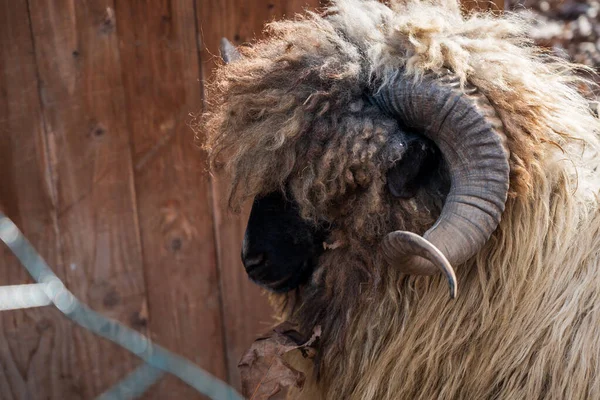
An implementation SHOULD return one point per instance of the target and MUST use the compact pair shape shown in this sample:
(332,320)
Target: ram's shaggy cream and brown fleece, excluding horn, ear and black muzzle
(291,115)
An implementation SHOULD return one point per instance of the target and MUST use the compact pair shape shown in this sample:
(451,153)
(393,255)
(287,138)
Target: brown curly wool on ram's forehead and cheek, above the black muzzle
(301,80)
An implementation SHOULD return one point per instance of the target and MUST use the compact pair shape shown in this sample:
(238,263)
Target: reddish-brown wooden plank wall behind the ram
(99,169)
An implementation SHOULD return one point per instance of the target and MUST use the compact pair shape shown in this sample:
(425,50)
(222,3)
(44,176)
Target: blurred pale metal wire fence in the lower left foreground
(50,290)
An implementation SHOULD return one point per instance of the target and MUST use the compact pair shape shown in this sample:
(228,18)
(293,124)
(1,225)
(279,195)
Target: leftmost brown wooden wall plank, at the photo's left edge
(34,344)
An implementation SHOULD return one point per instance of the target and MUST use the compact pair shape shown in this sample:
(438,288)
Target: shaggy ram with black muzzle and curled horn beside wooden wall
(381,143)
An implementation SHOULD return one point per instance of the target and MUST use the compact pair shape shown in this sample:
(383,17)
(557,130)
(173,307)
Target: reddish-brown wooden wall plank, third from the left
(161,76)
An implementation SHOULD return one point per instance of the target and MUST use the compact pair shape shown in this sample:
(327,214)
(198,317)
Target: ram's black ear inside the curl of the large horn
(420,159)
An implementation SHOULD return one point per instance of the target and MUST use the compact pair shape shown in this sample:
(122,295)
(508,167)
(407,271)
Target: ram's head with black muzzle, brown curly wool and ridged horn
(371,161)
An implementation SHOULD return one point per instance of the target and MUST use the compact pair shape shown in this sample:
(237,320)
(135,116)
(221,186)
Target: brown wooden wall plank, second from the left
(77,53)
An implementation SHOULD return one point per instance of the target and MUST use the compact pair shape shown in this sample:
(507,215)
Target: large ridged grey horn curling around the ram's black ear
(470,135)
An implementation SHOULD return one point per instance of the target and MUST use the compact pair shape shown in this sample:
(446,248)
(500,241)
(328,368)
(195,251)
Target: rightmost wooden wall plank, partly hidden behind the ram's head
(246,310)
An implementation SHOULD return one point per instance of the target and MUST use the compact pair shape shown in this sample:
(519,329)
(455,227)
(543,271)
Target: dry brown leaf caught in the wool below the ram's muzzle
(264,371)
